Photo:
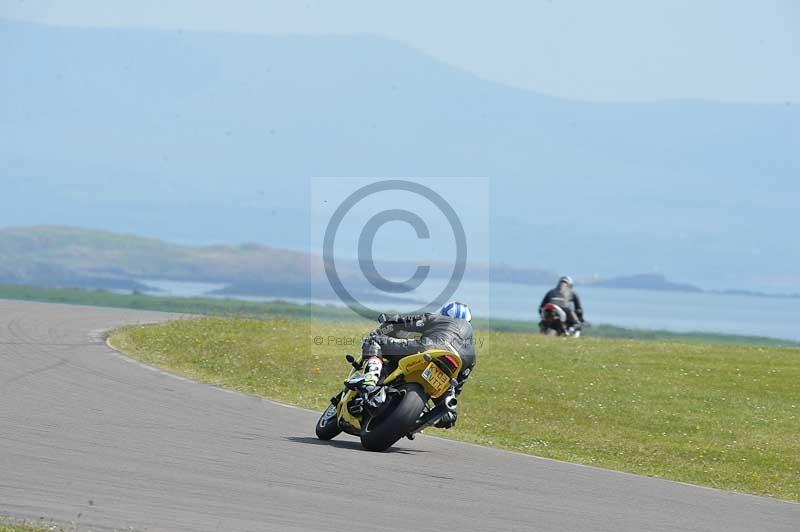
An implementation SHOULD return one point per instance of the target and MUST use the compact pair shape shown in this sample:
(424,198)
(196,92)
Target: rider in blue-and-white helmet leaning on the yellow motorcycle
(449,329)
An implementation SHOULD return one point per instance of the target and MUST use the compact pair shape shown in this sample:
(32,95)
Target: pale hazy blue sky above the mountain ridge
(611,50)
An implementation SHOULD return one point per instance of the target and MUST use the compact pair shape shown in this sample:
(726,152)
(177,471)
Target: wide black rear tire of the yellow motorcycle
(378,434)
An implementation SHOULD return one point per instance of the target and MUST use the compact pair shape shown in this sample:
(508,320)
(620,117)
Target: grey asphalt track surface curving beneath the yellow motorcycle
(88,436)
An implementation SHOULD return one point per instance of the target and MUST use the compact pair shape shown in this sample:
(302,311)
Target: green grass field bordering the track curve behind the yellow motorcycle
(726,416)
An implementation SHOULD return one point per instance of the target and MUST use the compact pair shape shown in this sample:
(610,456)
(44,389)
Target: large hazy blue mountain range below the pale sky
(198,137)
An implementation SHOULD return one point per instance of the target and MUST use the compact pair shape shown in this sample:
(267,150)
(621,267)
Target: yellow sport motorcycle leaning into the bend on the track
(419,390)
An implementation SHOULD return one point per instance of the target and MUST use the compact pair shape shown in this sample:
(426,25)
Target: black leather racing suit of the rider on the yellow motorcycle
(437,332)
